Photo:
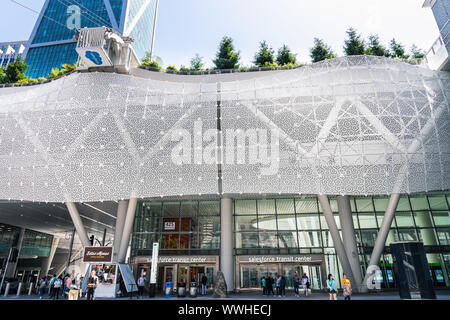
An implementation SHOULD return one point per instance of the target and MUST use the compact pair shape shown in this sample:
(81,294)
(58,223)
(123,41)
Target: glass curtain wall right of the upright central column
(297,226)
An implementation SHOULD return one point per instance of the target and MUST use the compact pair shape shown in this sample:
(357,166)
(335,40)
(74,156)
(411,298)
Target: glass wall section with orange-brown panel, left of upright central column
(187,227)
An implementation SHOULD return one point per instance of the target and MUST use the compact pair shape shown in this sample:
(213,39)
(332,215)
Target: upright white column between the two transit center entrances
(226,242)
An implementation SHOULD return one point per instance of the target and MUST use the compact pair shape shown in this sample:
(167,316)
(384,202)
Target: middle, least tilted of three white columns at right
(349,238)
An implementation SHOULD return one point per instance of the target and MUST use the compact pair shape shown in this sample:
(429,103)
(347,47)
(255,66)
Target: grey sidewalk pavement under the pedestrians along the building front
(392,295)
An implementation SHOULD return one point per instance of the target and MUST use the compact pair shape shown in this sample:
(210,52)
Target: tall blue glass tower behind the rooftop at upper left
(51,42)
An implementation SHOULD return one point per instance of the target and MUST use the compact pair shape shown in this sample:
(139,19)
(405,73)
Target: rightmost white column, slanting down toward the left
(381,239)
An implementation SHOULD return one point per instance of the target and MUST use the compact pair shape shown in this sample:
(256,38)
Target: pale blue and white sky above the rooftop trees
(186,27)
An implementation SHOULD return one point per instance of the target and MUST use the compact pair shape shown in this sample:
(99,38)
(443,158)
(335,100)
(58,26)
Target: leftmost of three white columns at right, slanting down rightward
(337,241)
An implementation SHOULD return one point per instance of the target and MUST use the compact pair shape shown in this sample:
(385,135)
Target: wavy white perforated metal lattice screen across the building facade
(356,125)
